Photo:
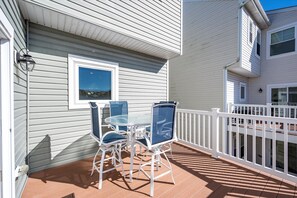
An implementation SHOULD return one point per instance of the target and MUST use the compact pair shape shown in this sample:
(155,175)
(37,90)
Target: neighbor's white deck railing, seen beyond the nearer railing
(269,109)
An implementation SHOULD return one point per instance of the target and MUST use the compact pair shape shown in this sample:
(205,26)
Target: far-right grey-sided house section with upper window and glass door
(278,60)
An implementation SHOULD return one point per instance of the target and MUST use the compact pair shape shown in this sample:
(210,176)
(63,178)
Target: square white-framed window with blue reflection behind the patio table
(91,80)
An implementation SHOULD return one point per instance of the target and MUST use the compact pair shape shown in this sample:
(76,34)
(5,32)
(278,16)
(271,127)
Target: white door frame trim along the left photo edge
(7,160)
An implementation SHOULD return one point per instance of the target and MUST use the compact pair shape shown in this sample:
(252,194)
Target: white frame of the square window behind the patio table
(74,62)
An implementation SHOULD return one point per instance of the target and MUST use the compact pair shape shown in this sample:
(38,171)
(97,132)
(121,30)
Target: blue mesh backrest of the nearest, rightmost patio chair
(163,119)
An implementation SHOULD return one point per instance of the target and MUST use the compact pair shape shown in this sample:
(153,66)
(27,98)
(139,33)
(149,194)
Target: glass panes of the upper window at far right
(282,41)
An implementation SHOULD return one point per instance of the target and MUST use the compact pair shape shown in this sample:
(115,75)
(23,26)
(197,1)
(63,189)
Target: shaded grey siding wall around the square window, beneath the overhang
(59,135)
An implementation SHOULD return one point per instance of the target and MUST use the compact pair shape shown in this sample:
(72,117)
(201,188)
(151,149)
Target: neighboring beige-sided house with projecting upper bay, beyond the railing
(222,51)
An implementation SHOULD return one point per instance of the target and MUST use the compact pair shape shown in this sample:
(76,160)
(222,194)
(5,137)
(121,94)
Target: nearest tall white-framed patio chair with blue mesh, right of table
(162,133)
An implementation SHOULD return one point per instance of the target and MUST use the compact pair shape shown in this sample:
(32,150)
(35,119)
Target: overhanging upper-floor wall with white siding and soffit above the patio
(155,22)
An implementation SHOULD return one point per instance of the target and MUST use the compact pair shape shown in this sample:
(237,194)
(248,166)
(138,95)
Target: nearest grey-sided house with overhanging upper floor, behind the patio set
(126,43)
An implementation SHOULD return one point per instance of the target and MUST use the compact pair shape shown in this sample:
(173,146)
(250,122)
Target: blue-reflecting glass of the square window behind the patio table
(94,84)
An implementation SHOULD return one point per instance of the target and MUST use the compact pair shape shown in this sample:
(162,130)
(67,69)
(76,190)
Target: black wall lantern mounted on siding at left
(25,59)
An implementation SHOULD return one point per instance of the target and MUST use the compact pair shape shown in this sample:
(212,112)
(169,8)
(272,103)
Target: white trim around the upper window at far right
(268,41)
